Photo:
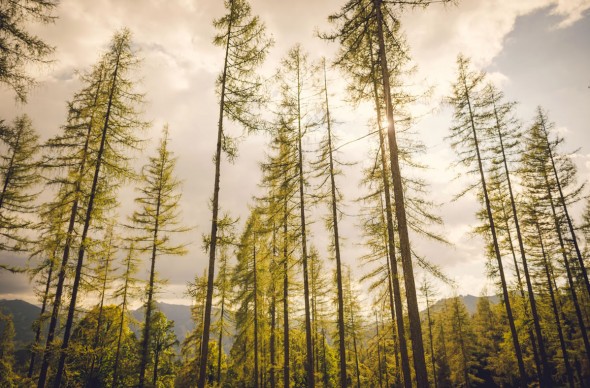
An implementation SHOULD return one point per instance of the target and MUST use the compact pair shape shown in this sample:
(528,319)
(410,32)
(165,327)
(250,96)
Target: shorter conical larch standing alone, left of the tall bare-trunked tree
(156,220)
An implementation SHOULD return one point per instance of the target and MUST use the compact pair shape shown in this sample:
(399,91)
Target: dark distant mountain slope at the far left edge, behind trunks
(23,316)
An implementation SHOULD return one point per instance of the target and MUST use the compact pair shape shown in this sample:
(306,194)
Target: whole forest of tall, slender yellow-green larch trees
(283,298)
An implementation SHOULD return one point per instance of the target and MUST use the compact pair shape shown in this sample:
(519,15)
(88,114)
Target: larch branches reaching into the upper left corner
(19,47)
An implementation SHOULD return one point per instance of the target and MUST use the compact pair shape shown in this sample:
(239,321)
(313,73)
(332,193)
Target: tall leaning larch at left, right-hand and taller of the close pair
(114,122)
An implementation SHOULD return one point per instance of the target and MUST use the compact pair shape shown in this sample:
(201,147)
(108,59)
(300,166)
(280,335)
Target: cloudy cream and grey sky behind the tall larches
(538,51)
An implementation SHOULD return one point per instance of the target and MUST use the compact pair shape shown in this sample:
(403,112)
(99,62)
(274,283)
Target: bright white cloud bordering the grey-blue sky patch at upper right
(477,29)
